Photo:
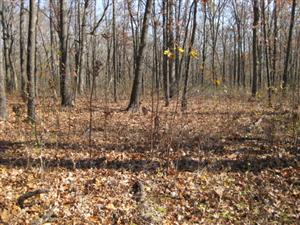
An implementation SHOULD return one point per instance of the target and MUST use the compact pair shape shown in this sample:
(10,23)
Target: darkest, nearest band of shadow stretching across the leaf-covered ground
(183,164)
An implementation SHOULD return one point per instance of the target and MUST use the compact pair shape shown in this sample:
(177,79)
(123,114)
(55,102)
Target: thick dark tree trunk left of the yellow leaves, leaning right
(136,88)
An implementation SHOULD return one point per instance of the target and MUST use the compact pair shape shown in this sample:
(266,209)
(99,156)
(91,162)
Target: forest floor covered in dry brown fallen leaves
(223,161)
